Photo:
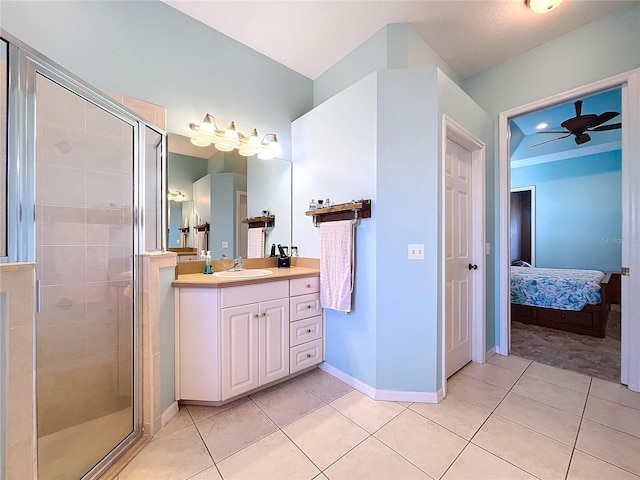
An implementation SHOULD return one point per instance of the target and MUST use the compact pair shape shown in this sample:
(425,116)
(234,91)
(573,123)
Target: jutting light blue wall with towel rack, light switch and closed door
(392,339)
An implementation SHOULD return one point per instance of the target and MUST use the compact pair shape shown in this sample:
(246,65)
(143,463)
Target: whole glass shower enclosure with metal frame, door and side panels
(84,174)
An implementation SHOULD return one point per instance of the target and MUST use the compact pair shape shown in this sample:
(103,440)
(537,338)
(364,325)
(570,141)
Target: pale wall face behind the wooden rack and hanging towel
(342,170)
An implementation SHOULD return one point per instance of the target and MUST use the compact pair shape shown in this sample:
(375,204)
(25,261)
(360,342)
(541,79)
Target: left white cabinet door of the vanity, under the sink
(239,346)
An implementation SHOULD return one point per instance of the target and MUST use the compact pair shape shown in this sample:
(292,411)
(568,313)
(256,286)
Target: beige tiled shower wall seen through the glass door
(84,246)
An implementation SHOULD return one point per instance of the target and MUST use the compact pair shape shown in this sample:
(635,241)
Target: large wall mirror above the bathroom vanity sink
(206,186)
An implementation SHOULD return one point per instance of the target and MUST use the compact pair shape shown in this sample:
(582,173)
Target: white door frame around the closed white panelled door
(451,129)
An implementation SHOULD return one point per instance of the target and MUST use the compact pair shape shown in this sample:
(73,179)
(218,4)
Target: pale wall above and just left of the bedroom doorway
(552,68)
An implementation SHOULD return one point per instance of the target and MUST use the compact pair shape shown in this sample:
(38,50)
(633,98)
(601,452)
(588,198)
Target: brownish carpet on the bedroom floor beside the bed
(596,357)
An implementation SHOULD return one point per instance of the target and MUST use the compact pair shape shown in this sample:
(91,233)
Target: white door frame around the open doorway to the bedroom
(629,82)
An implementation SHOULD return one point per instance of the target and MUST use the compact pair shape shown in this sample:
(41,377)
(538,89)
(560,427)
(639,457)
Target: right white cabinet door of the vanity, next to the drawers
(274,340)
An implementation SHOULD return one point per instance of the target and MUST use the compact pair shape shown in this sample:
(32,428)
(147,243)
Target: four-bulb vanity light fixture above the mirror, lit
(207,132)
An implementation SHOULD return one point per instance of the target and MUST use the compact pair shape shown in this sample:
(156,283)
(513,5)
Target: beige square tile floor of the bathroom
(509,418)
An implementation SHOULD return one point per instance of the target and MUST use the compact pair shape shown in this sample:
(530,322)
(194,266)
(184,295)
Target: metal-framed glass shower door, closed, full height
(85,250)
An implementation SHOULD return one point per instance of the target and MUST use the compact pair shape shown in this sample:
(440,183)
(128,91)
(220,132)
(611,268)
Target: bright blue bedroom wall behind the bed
(578,211)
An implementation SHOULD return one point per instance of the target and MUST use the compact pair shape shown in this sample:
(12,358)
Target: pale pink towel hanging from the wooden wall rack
(336,265)
